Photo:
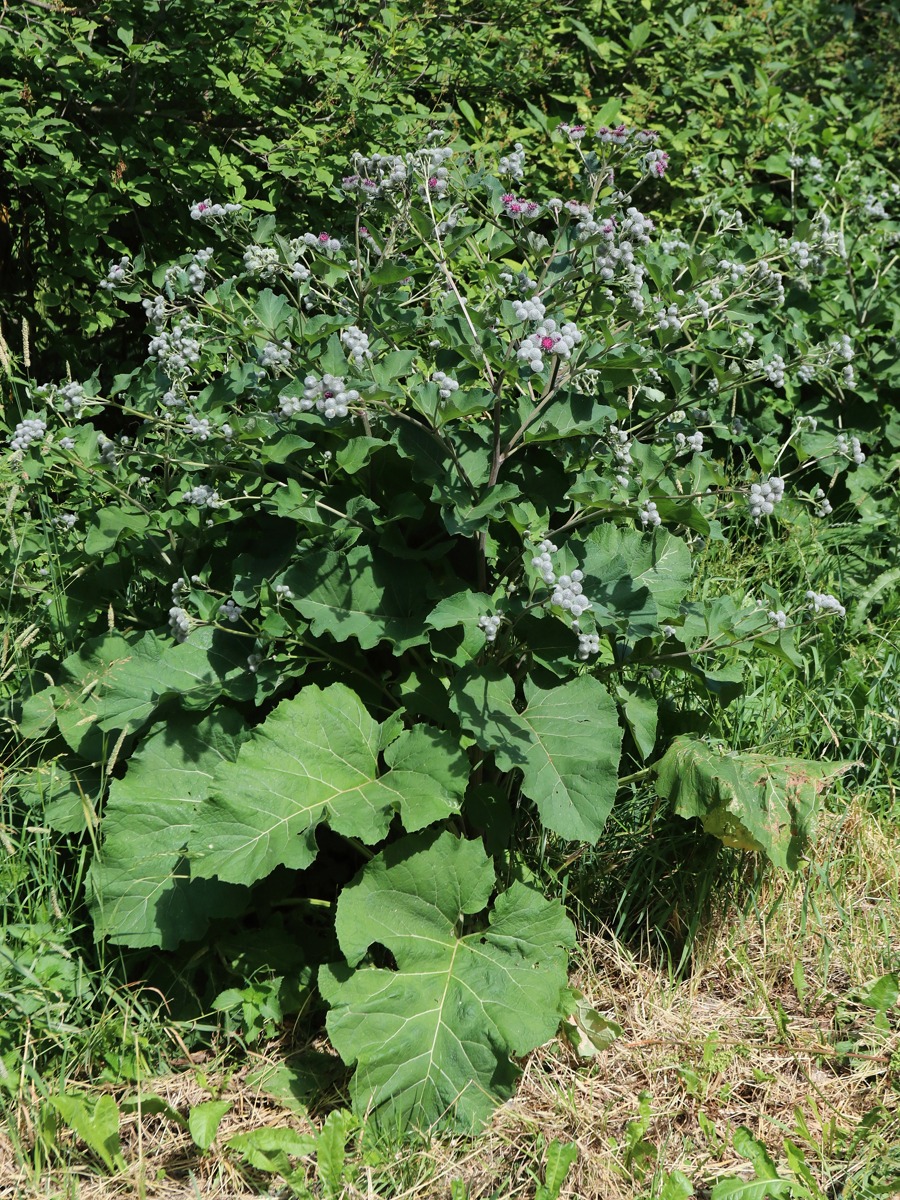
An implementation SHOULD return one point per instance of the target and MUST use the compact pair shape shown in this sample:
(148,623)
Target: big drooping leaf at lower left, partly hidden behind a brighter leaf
(142,891)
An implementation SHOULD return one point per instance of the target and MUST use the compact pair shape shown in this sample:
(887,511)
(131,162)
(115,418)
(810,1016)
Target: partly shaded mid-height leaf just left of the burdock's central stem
(362,595)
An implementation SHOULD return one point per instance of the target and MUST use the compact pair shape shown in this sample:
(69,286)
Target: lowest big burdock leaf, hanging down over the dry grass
(433,1041)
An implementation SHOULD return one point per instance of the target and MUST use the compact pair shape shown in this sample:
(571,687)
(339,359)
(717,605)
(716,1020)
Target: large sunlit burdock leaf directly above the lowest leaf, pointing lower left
(316,759)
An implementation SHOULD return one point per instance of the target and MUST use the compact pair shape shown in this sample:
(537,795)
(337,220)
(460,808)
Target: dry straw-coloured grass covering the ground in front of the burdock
(748,1039)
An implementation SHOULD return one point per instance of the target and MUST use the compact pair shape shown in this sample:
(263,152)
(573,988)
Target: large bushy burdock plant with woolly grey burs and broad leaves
(382,568)
